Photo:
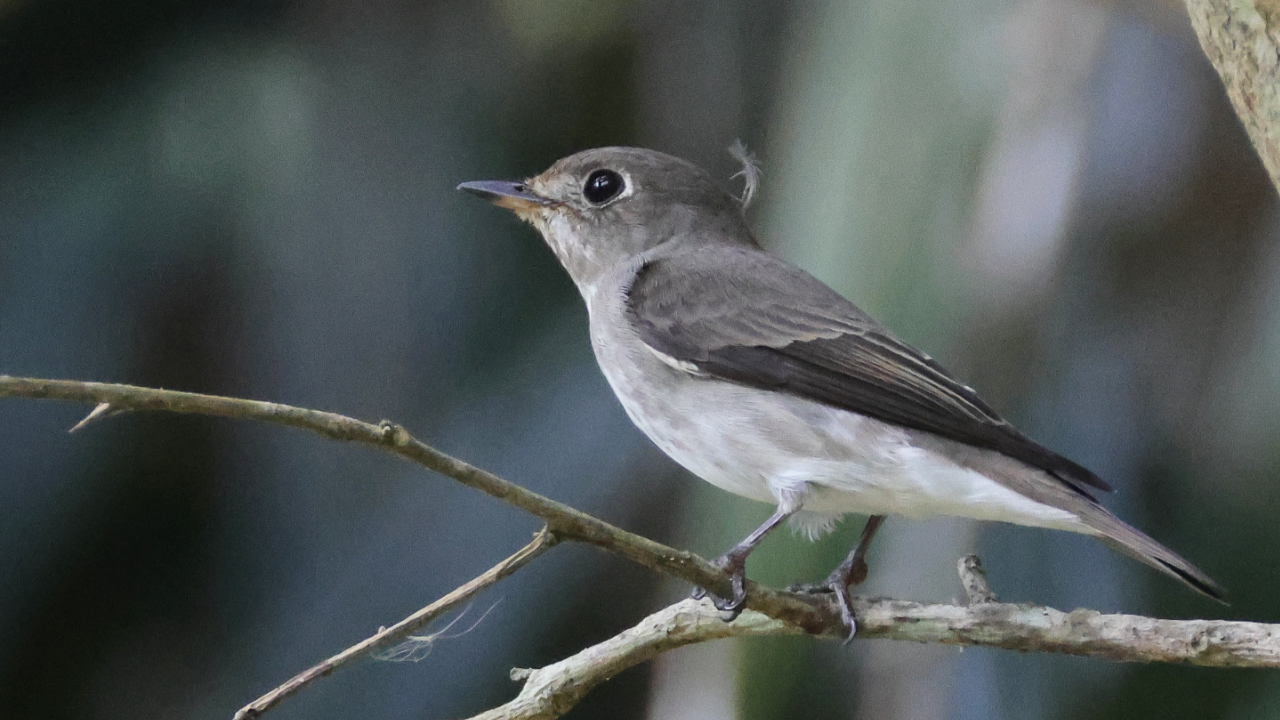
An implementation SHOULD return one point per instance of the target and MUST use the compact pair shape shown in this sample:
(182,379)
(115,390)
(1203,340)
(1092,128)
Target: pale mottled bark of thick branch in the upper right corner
(1242,40)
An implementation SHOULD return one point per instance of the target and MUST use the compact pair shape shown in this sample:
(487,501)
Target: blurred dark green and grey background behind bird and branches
(257,199)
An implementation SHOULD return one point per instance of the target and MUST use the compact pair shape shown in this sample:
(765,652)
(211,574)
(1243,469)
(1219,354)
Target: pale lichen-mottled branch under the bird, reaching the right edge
(552,691)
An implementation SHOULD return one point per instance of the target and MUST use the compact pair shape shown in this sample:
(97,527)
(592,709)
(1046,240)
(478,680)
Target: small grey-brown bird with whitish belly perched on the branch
(767,384)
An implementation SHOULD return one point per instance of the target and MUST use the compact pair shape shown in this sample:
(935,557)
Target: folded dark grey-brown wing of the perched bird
(747,317)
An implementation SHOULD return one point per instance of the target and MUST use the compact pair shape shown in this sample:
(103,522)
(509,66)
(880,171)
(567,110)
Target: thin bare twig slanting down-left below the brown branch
(387,637)
